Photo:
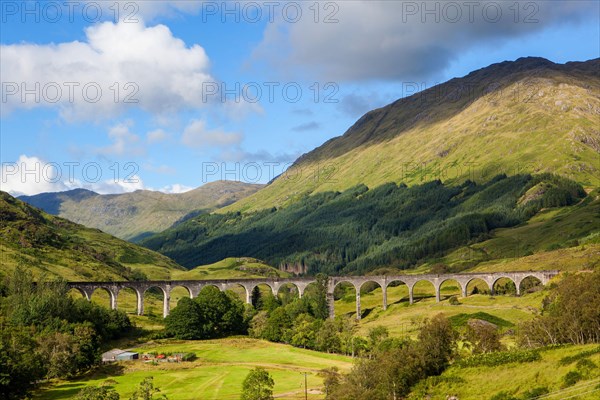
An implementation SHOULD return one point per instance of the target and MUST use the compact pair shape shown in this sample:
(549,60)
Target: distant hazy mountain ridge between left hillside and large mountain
(132,216)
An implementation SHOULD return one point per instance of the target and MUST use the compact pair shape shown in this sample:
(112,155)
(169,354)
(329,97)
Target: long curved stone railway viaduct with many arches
(195,286)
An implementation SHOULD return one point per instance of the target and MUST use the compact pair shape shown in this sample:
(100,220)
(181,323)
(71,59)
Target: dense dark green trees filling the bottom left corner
(45,333)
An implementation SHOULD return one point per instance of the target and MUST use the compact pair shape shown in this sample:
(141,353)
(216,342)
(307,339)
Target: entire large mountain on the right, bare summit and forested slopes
(444,176)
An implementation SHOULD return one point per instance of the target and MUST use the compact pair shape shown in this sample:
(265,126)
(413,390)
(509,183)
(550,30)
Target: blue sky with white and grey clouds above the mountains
(310,69)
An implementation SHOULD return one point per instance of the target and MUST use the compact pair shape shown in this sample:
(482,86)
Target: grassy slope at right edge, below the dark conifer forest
(566,238)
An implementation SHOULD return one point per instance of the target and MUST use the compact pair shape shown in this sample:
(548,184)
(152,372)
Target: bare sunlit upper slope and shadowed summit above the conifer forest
(530,115)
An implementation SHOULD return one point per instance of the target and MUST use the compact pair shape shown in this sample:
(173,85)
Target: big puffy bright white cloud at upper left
(117,67)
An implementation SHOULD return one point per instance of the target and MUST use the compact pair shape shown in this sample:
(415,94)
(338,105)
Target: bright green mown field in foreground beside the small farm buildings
(218,373)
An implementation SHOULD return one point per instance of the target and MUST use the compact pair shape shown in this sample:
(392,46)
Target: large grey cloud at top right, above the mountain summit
(400,39)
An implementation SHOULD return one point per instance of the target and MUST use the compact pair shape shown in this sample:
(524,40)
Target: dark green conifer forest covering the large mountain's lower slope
(362,229)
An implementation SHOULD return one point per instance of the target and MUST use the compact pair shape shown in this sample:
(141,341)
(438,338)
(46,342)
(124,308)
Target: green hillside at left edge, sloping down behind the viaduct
(51,245)
